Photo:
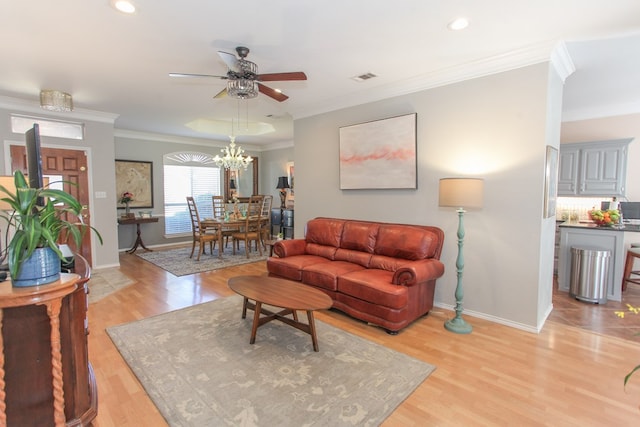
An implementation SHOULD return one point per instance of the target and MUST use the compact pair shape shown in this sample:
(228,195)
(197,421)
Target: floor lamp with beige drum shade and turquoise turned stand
(460,193)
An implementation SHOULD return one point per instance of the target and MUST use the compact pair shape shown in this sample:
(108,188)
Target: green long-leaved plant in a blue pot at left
(37,225)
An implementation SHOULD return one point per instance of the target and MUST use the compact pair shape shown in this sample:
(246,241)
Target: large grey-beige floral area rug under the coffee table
(200,370)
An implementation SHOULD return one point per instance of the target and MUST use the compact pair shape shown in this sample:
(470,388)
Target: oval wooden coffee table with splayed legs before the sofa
(290,296)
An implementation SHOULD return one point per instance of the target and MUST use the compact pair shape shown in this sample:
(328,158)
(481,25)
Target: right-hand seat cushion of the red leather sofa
(374,286)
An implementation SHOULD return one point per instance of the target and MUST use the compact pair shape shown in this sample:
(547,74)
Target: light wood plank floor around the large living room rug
(496,376)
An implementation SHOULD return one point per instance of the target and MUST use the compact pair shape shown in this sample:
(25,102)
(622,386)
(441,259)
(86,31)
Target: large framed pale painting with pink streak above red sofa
(379,154)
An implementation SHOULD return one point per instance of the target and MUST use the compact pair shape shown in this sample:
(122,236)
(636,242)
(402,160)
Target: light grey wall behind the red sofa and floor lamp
(495,127)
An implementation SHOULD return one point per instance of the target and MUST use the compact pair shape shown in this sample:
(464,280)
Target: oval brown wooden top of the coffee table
(280,292)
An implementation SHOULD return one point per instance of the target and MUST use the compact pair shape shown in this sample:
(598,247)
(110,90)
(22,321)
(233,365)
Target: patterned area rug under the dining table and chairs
(178,263)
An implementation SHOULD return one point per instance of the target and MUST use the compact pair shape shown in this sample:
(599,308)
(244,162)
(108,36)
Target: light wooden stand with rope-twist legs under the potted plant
(51,296)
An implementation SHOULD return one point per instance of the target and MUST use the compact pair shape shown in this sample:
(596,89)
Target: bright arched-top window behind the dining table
(188,174)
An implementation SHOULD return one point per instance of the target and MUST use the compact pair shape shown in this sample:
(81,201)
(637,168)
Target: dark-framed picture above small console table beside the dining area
(135,177)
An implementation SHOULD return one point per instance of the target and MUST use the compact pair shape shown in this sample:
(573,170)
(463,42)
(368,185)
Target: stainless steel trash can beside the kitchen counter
(589,271)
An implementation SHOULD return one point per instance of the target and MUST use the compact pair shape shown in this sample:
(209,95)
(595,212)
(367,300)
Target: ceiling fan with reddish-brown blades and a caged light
(243,80)
